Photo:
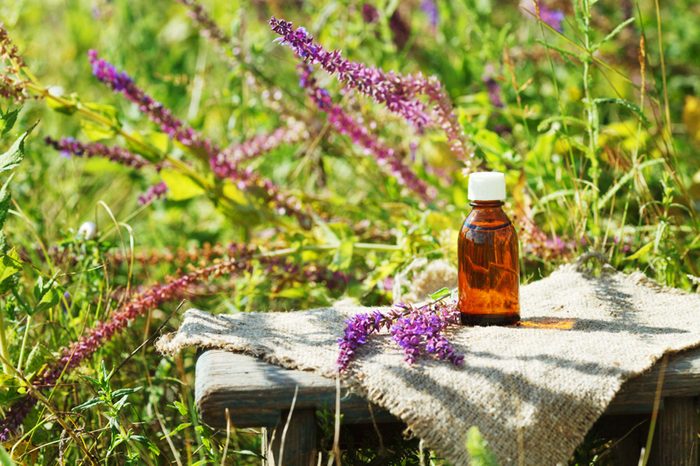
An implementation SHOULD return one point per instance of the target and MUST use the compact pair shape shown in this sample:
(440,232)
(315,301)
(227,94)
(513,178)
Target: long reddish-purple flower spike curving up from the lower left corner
(74,354)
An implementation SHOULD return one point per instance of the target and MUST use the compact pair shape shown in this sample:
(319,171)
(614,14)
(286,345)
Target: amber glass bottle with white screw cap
(489,271)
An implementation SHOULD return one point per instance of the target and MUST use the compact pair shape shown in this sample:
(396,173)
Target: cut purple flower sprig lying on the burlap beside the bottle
(417,330)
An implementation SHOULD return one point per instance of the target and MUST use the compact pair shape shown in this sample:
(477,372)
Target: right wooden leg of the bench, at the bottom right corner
(678,426)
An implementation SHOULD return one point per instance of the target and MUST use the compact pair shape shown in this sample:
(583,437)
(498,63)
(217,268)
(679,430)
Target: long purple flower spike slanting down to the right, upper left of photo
(221,165)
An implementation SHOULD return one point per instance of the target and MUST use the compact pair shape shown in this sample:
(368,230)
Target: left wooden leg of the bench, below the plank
(299,441)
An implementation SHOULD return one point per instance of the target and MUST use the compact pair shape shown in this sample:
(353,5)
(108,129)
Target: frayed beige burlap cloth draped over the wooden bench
(533,391)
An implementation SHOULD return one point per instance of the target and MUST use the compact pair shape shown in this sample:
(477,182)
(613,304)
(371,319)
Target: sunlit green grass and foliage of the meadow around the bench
(599,149)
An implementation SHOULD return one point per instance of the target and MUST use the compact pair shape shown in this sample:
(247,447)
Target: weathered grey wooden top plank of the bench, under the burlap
(247,385)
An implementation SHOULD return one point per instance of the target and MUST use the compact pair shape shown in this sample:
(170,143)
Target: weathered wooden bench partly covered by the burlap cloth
(258,394)
